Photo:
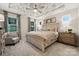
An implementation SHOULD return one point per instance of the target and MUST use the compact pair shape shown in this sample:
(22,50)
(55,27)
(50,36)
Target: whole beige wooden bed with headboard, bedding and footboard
(44,38)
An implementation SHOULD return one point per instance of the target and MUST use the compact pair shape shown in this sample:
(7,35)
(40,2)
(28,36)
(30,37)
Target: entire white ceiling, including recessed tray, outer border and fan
(29,8)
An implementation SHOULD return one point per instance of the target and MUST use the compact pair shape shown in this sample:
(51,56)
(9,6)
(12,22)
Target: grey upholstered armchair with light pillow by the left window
(11,38)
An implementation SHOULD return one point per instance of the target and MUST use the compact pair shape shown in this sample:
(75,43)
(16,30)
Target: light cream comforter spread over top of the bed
(45,34)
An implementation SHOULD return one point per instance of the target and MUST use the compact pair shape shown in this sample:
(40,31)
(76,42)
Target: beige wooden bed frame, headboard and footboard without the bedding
(40,42)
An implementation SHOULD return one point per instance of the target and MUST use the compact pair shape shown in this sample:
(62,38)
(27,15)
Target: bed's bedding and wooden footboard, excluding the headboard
(42,39)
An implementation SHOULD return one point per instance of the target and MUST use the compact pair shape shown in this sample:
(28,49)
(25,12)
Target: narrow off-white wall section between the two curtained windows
(24,26)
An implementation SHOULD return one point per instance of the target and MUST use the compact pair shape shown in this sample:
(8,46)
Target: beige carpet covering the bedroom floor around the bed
(26,49)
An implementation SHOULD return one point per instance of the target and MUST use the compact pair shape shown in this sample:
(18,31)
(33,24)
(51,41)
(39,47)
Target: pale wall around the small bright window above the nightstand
(73,23)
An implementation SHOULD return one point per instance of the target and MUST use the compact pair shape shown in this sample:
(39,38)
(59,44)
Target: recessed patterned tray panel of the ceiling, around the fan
(28,8)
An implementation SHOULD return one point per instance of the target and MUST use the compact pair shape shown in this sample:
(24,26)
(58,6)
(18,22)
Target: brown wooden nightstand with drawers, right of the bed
(67,38)
